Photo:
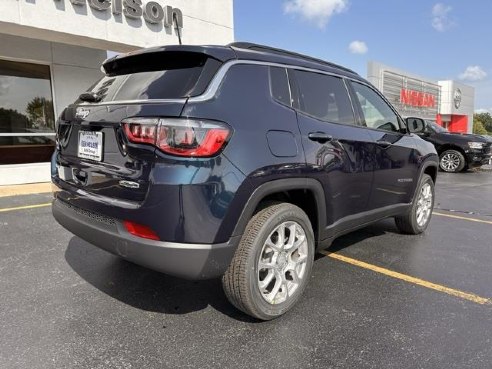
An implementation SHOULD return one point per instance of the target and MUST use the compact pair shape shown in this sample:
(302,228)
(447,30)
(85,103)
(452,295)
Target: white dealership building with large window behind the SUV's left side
(52,50)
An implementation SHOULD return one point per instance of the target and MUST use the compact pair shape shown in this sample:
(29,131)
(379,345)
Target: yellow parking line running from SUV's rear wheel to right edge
(433,286)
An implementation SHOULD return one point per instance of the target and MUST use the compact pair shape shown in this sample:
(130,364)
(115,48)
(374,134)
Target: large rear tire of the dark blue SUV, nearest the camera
(242,278)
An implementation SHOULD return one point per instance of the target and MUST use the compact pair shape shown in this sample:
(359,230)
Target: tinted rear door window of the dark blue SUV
(324,97)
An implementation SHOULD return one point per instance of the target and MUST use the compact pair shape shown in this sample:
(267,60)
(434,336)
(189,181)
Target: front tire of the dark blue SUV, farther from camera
(408,223)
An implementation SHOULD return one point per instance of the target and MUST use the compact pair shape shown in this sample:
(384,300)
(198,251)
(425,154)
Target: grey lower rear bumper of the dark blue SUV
(189,261)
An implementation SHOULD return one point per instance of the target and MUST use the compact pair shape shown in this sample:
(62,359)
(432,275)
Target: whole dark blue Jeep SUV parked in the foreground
(237,162)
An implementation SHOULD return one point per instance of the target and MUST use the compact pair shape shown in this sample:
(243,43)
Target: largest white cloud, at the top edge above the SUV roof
(318,12)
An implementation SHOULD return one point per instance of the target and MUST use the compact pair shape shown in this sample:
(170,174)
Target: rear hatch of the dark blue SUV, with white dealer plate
(106,139)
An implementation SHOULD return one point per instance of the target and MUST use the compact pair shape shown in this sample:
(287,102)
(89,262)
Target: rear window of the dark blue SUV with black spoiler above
(167,75)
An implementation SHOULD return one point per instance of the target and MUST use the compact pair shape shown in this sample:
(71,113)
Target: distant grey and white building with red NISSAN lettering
(449,103)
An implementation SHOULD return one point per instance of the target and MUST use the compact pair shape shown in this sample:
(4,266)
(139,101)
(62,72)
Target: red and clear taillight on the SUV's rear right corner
(182,137)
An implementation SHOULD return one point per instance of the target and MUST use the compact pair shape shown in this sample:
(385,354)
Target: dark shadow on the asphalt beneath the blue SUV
(152,291)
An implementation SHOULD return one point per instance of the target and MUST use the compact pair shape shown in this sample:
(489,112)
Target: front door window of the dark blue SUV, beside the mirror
(377,113)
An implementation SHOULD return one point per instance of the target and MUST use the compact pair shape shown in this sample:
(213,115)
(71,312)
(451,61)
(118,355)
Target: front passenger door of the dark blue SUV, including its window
(396,158)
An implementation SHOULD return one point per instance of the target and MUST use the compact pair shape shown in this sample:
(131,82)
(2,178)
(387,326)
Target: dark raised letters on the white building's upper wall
(151,11)
